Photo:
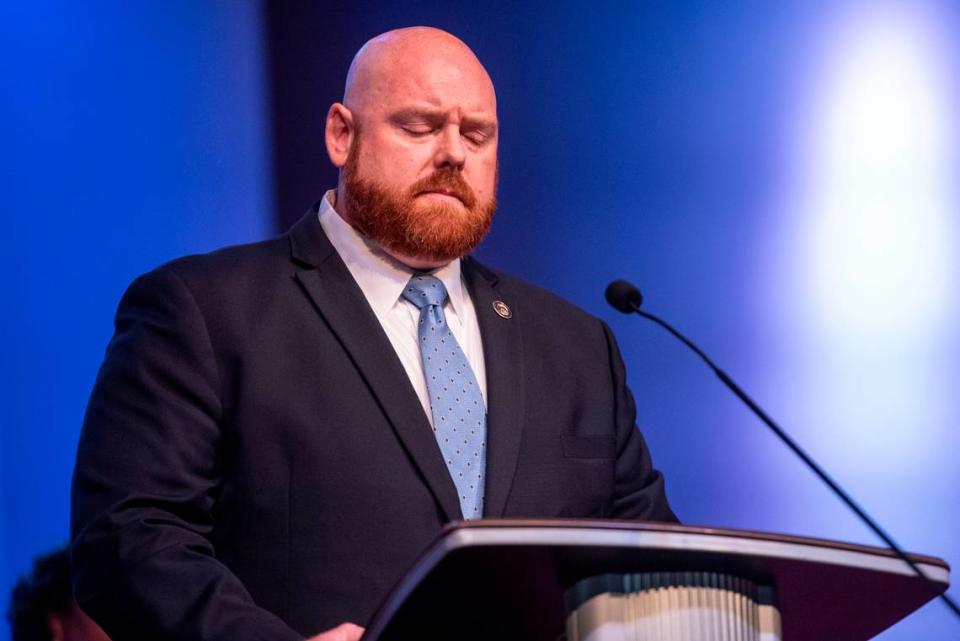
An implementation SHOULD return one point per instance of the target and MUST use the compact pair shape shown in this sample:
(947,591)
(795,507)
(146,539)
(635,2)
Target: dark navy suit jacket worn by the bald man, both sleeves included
(254,463)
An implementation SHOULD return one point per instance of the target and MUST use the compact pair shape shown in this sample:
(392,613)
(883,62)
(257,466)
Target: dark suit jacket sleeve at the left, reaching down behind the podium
(149,466)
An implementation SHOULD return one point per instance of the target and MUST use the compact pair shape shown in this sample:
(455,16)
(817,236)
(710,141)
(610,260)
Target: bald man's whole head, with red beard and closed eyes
(416,140)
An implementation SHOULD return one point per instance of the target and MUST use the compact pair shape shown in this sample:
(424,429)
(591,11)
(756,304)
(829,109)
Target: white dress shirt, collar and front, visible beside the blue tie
(382,278)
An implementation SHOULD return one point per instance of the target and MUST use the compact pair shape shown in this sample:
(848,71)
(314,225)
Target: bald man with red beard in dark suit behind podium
(273,438)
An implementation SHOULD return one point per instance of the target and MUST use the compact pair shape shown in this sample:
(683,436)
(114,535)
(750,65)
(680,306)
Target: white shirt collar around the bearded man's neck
(380,276)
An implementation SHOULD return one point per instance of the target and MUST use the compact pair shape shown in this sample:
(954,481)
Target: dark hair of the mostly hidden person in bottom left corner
(46,589)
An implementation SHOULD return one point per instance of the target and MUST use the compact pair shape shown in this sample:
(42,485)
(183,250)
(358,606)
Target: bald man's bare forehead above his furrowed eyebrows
(435,81)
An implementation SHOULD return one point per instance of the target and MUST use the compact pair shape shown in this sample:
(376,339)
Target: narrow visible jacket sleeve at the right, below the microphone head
(638,487)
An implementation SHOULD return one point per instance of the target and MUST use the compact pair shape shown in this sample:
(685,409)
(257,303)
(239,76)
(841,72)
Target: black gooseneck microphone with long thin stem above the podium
(625,297)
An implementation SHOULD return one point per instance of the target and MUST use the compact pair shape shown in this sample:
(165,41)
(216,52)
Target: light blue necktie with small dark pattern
(459,415)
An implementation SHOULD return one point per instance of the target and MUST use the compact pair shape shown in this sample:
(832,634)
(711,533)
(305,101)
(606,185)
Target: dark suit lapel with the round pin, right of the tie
(503,358)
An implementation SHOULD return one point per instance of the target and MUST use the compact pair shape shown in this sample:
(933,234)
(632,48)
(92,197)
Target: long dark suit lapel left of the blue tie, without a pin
(341,303)
